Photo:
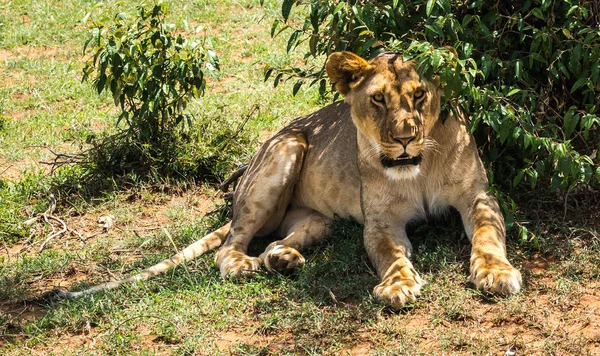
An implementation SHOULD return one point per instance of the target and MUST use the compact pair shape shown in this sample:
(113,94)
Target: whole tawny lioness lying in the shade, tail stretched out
(382,157)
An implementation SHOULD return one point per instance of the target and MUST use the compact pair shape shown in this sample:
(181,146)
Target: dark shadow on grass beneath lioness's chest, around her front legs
(338,270)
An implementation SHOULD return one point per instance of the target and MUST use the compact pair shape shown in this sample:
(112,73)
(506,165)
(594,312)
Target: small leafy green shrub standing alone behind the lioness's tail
(152,73)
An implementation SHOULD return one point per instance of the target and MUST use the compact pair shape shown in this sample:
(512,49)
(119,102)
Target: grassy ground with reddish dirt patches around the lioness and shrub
(326,308)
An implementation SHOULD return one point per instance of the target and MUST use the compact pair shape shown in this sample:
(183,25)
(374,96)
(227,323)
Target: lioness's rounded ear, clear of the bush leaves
(346,70)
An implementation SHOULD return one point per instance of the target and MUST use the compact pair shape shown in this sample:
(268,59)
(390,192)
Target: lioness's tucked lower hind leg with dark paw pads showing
(301,227)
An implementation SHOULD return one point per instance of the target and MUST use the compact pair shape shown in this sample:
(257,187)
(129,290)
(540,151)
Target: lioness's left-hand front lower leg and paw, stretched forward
(389,249)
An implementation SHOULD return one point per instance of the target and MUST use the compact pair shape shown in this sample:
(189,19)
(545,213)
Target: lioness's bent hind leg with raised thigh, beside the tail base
(261,200)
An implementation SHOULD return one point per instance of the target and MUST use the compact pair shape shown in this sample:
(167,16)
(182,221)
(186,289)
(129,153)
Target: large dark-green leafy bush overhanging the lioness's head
(527,73)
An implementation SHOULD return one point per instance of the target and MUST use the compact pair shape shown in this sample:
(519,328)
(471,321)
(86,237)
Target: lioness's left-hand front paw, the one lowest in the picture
(399,287)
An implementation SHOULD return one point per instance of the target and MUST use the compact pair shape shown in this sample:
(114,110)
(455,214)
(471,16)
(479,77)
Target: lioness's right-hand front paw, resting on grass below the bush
(495,276)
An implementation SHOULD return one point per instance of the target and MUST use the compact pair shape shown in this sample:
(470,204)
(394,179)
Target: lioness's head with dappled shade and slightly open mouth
(391,106)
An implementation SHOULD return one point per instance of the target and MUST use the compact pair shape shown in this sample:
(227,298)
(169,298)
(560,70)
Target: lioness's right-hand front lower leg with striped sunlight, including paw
(490,270)
